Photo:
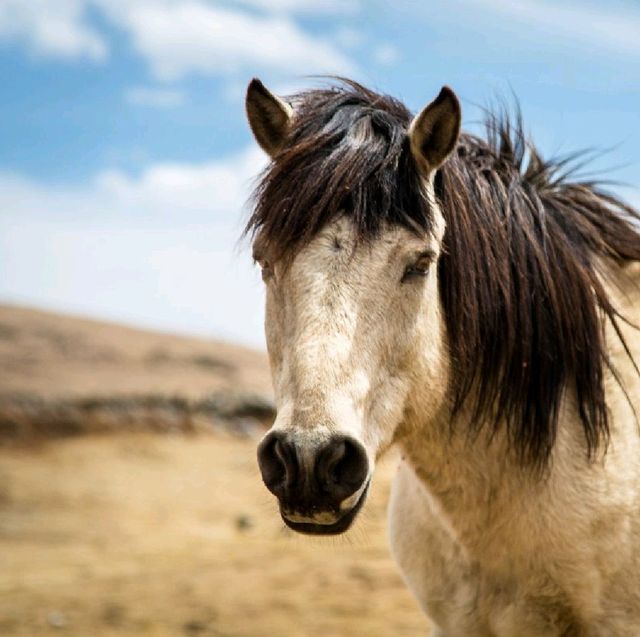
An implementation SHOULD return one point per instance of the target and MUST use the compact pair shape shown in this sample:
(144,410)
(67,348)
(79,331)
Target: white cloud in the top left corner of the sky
(57,29)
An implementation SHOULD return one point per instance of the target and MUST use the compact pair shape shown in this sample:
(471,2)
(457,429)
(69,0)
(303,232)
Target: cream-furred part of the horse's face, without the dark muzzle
(349,338)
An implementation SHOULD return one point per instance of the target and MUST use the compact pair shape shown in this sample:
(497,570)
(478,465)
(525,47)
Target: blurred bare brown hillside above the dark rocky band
(54,355)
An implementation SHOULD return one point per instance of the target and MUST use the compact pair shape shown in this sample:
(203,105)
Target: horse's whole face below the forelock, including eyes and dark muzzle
(352,331)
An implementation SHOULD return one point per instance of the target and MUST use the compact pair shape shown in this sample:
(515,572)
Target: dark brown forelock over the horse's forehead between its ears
(347,153)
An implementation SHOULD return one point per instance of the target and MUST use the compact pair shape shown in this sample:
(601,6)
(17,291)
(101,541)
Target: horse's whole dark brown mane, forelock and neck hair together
(525,251)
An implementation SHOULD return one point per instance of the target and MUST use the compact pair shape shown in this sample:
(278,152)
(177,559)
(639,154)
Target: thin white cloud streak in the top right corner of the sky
(595,27)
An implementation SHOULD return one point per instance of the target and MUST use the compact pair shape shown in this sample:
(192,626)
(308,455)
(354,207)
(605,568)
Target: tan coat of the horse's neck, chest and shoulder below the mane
(490,551)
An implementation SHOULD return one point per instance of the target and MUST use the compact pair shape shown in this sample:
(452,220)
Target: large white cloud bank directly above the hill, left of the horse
(158,249)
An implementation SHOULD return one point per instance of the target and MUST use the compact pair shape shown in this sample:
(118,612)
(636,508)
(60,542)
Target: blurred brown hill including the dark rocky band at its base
(62,375)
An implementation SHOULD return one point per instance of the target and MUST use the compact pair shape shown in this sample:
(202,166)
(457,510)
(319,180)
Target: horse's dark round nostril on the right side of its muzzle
(342,466)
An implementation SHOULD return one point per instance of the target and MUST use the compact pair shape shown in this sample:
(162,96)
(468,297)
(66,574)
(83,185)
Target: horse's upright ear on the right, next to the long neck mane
(433,133)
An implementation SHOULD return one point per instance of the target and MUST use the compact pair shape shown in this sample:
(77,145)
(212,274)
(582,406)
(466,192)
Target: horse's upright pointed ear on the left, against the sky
(269,117)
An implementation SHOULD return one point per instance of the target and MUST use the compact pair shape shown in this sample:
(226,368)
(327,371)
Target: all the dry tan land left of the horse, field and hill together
(131,504)
